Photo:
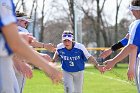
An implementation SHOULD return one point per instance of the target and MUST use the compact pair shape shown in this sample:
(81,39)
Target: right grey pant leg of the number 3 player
(78,81)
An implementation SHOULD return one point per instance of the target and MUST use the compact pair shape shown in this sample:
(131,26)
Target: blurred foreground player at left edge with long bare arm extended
(9,40)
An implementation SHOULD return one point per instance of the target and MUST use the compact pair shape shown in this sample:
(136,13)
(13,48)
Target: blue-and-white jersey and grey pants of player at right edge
(134,38)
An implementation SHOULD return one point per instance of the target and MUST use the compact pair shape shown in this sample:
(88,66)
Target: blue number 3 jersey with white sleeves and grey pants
(73,64)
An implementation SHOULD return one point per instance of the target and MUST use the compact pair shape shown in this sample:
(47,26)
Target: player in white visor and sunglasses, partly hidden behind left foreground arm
(22,69)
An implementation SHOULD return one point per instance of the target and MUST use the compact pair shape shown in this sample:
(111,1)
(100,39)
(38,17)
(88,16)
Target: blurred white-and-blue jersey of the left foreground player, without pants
(7,16)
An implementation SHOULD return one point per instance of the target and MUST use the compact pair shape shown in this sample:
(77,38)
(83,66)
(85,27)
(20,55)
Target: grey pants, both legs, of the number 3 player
(73,81)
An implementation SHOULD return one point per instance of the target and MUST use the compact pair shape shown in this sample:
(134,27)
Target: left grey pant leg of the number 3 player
(68,82)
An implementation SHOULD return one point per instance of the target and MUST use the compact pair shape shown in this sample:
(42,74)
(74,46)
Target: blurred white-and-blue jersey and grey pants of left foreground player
(8,81)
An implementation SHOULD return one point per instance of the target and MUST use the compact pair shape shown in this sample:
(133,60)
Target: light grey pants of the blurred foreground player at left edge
(8,81)
